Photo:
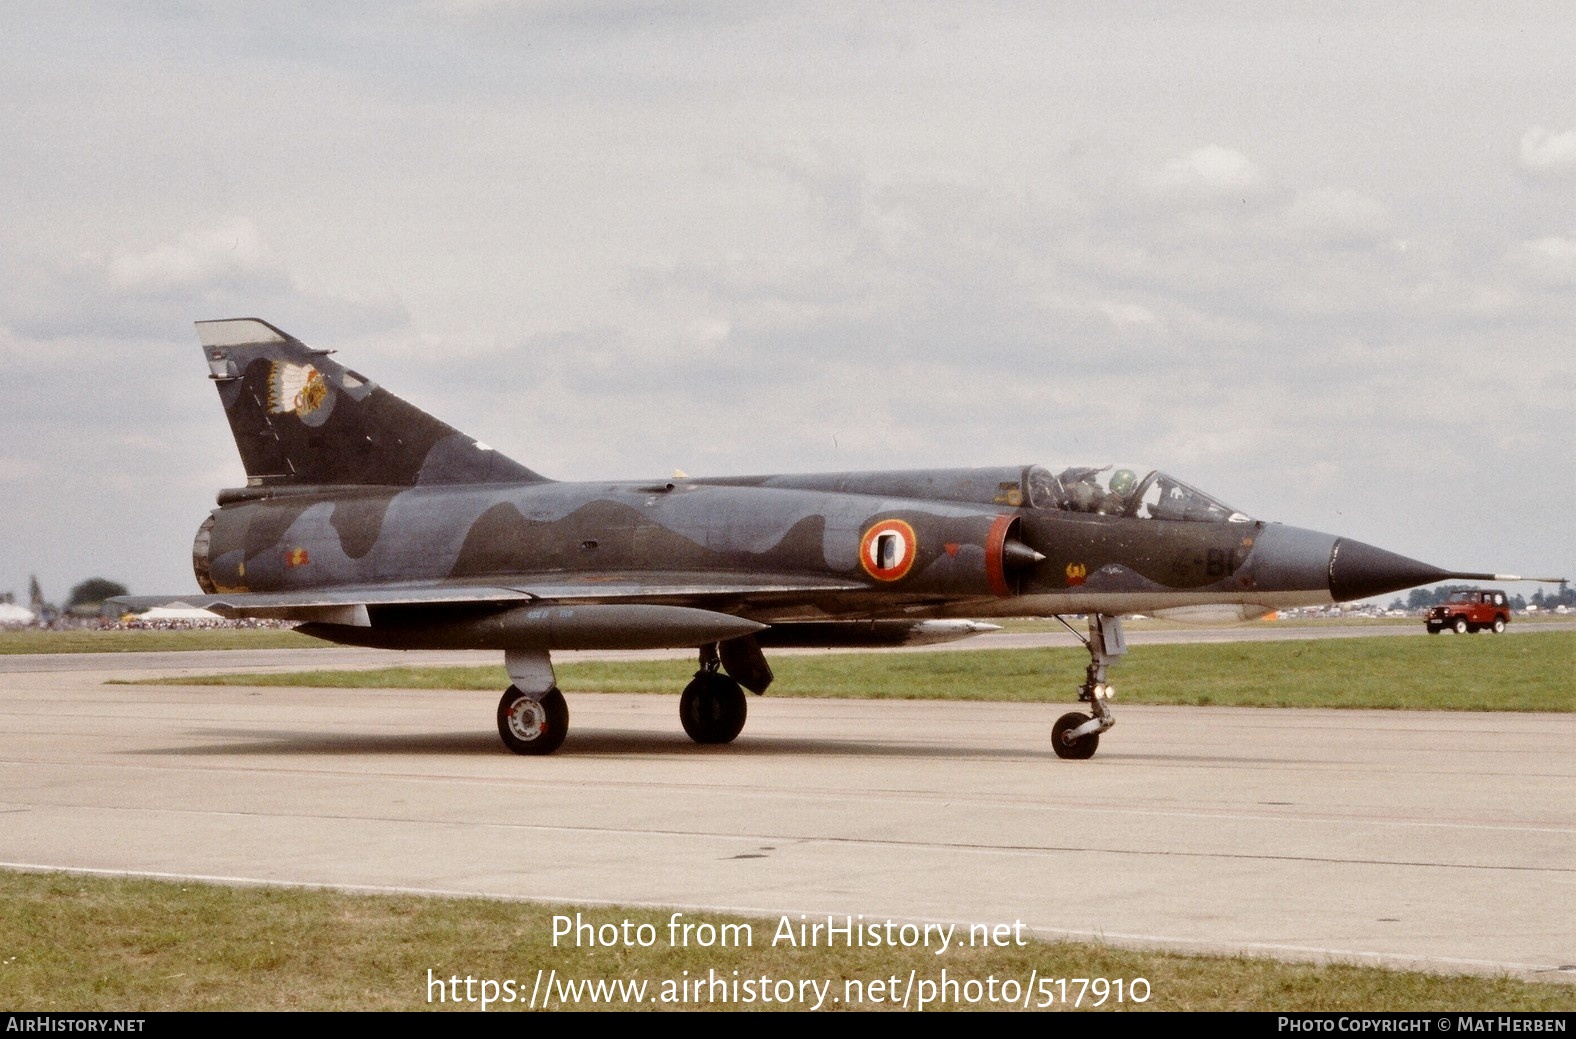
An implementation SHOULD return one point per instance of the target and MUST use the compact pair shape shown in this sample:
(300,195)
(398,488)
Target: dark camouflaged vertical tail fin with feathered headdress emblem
(302,420)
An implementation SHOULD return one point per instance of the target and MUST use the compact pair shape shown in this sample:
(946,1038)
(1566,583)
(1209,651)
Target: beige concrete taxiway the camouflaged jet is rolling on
(1432,841)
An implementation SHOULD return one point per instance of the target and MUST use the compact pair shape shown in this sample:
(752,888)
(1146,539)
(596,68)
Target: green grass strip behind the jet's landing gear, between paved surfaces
(1526,672)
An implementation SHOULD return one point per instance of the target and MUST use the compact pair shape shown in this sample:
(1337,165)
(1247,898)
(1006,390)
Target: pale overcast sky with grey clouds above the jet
(1318,259)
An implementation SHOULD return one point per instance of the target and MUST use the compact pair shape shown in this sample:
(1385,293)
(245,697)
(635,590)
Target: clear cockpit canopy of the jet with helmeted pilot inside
(1124,491)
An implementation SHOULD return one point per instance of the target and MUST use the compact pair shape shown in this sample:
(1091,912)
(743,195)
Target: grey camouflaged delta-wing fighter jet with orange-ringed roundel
(374,524)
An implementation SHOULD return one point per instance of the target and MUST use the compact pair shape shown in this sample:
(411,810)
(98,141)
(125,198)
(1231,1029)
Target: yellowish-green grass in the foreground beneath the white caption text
(83,944)
